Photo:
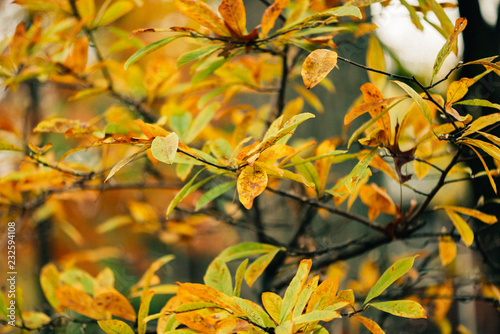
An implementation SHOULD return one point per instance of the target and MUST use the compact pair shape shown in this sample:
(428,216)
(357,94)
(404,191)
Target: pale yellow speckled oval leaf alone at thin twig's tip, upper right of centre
(317,66)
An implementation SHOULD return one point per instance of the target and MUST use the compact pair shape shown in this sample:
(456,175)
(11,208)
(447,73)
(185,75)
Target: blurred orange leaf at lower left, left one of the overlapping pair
(78,301)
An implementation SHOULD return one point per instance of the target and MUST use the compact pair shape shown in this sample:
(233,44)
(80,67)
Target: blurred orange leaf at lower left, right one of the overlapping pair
(112,301)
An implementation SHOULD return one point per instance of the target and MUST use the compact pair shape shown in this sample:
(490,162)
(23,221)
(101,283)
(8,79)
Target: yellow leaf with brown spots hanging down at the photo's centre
(251,183)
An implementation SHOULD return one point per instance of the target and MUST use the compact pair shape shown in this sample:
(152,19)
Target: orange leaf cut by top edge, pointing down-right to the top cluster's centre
(203,14)
